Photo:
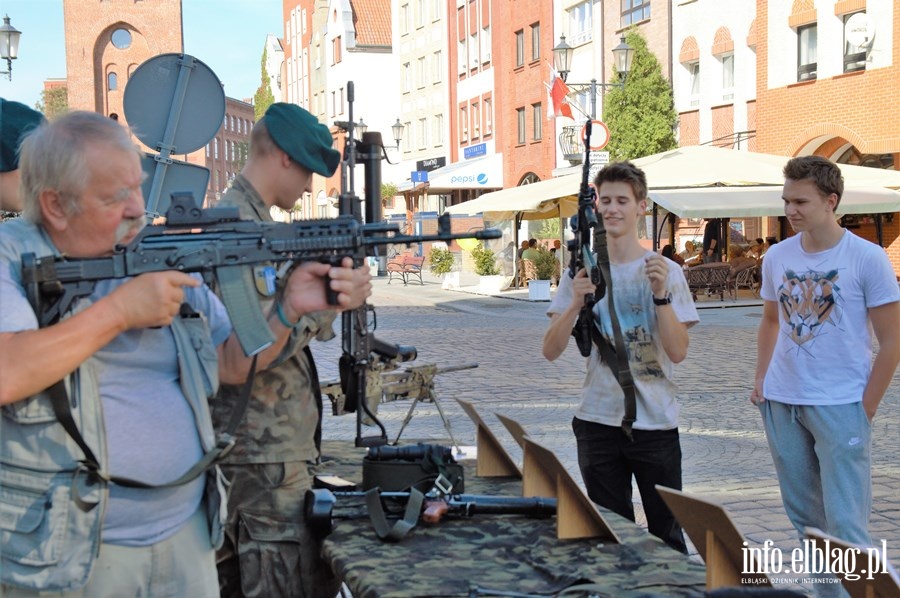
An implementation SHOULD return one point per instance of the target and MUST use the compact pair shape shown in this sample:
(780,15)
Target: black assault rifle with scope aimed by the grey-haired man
(216,243)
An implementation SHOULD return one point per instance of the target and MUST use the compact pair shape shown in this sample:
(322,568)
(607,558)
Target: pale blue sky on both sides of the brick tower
(227,35)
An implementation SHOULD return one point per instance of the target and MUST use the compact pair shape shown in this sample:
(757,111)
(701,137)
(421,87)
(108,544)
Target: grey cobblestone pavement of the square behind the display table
(725,455)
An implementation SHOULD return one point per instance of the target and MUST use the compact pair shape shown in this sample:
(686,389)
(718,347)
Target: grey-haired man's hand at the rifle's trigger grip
(150,300)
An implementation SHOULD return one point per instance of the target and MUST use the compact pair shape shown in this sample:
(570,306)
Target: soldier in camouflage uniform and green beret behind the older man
(268,549)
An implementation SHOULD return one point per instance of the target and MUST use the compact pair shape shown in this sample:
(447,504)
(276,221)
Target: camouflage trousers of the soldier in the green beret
(268,549)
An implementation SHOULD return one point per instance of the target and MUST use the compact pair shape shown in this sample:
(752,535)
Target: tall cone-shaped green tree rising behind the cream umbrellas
(641,116)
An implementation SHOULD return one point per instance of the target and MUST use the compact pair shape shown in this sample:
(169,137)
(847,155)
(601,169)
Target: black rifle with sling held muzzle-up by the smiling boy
(587,228)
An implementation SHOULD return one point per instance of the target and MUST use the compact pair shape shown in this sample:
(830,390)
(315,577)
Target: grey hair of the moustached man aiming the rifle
(53,156)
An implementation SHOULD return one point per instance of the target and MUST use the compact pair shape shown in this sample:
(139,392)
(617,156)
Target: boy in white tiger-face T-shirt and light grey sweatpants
(816,384)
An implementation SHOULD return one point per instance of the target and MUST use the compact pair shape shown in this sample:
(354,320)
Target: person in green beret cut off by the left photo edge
(16,121)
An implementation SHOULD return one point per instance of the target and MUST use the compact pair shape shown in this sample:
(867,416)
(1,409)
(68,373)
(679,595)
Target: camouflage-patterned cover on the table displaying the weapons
(505,554)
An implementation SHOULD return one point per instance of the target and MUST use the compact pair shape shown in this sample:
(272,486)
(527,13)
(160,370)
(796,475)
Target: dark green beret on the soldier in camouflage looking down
(302,137)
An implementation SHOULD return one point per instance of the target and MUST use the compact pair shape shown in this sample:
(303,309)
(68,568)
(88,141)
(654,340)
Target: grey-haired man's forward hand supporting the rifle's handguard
(306,289)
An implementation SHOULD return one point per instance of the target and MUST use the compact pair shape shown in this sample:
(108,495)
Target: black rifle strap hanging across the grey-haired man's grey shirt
(59,400)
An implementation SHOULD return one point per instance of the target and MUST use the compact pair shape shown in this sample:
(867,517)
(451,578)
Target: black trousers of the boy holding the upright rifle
(608,460)
